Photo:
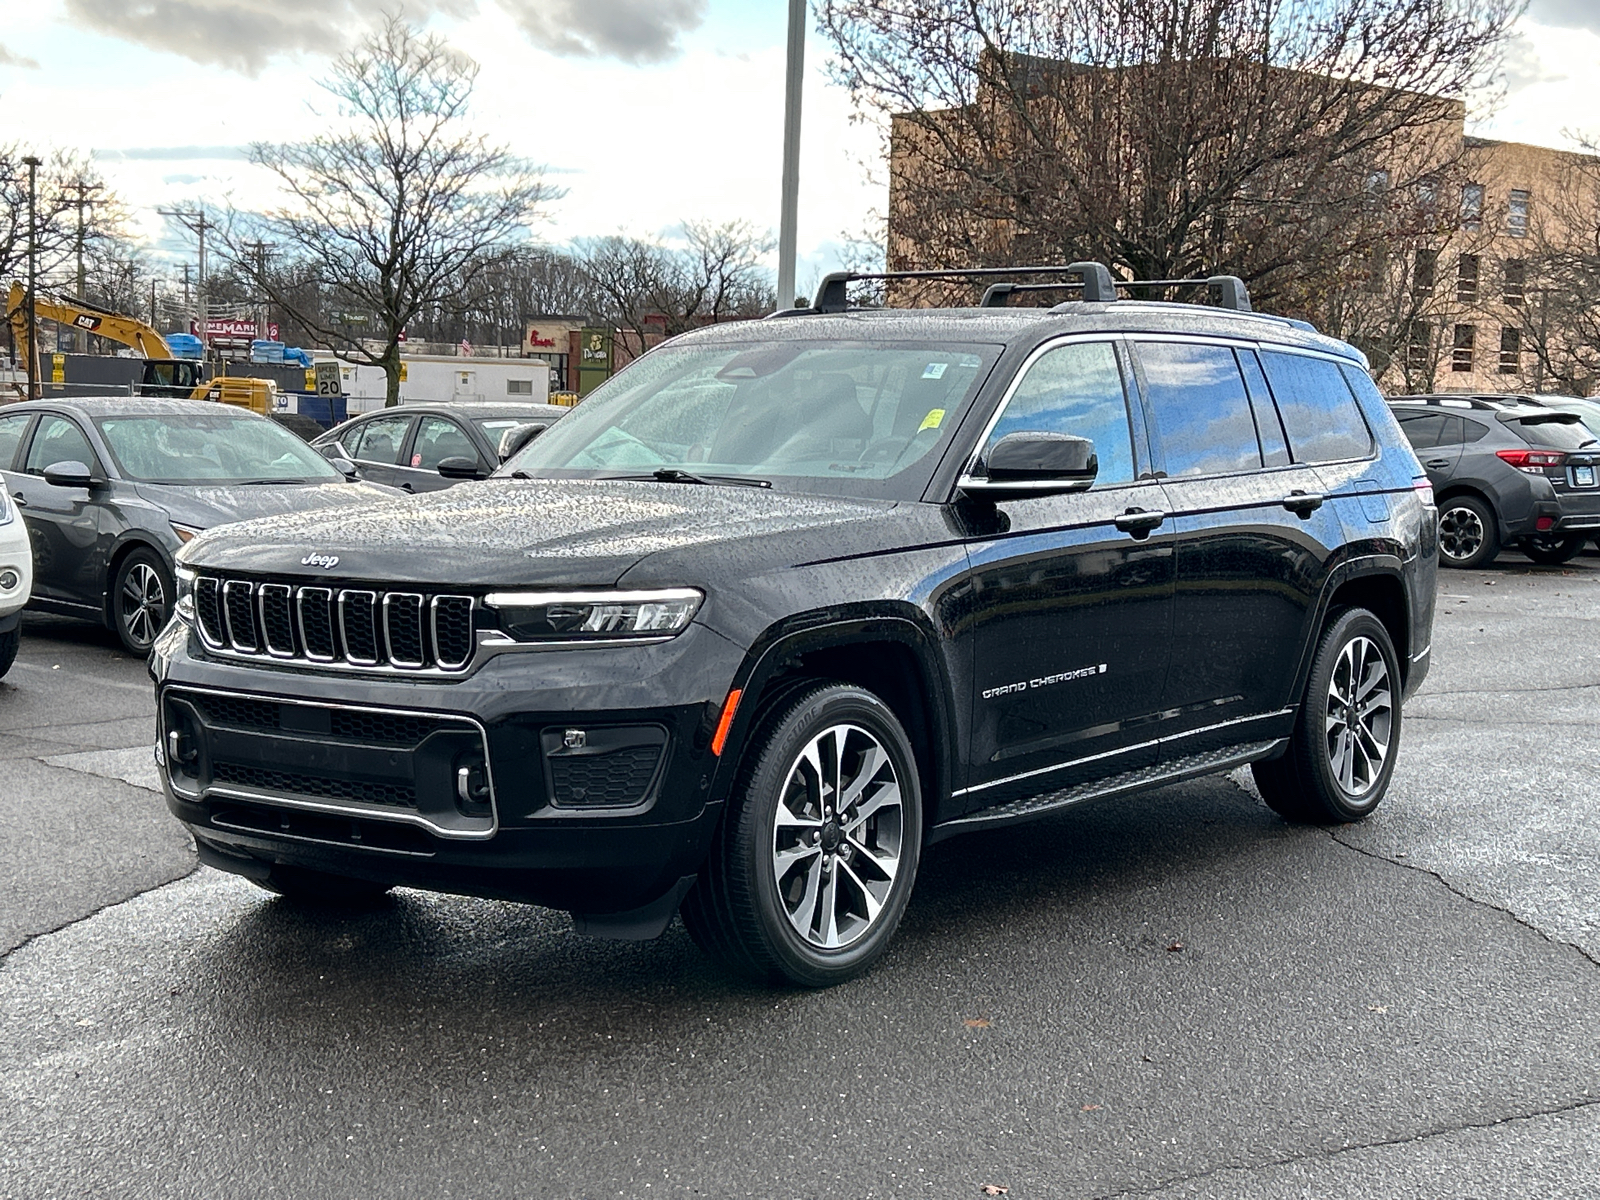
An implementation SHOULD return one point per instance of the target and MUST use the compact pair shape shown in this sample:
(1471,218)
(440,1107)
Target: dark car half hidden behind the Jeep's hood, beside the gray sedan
(430,447)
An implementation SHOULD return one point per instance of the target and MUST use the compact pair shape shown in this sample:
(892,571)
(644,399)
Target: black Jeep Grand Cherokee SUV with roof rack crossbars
(786,602)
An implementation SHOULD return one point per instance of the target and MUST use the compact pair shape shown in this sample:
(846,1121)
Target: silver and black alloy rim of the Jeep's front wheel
(838,838)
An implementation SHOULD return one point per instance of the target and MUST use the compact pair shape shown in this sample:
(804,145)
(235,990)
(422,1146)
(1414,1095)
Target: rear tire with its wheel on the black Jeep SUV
(1327,777)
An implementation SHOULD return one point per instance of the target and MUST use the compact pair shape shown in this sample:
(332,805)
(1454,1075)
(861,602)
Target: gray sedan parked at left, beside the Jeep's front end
(111,489)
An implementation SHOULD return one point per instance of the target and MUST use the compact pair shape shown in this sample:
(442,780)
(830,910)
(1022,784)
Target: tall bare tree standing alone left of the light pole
(398,212)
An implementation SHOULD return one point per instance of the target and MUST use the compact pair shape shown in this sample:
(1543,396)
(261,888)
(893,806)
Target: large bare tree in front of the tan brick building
(1164,138)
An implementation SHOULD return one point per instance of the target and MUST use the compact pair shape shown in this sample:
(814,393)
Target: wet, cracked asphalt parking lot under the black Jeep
(1177,996)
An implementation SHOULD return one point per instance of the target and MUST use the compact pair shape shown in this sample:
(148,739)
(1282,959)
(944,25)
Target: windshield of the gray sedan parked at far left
(210,449)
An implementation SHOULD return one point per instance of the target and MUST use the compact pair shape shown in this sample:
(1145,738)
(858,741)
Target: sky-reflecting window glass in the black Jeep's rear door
(1202,412)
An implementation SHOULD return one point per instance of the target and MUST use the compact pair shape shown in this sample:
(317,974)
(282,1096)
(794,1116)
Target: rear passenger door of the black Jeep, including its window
(1255,535)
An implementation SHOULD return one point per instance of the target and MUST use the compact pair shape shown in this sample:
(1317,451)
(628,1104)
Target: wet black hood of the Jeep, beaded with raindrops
(527,534)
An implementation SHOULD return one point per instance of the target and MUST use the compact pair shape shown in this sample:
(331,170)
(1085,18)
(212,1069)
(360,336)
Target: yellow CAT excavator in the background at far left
(164,374)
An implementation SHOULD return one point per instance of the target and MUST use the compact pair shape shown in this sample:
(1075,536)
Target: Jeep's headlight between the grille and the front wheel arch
(599,617)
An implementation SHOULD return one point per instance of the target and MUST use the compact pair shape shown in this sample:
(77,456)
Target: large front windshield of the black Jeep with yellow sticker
(854,418)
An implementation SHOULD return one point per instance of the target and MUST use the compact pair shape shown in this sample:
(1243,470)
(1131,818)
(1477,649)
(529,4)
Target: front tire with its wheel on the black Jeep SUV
(790,894)
